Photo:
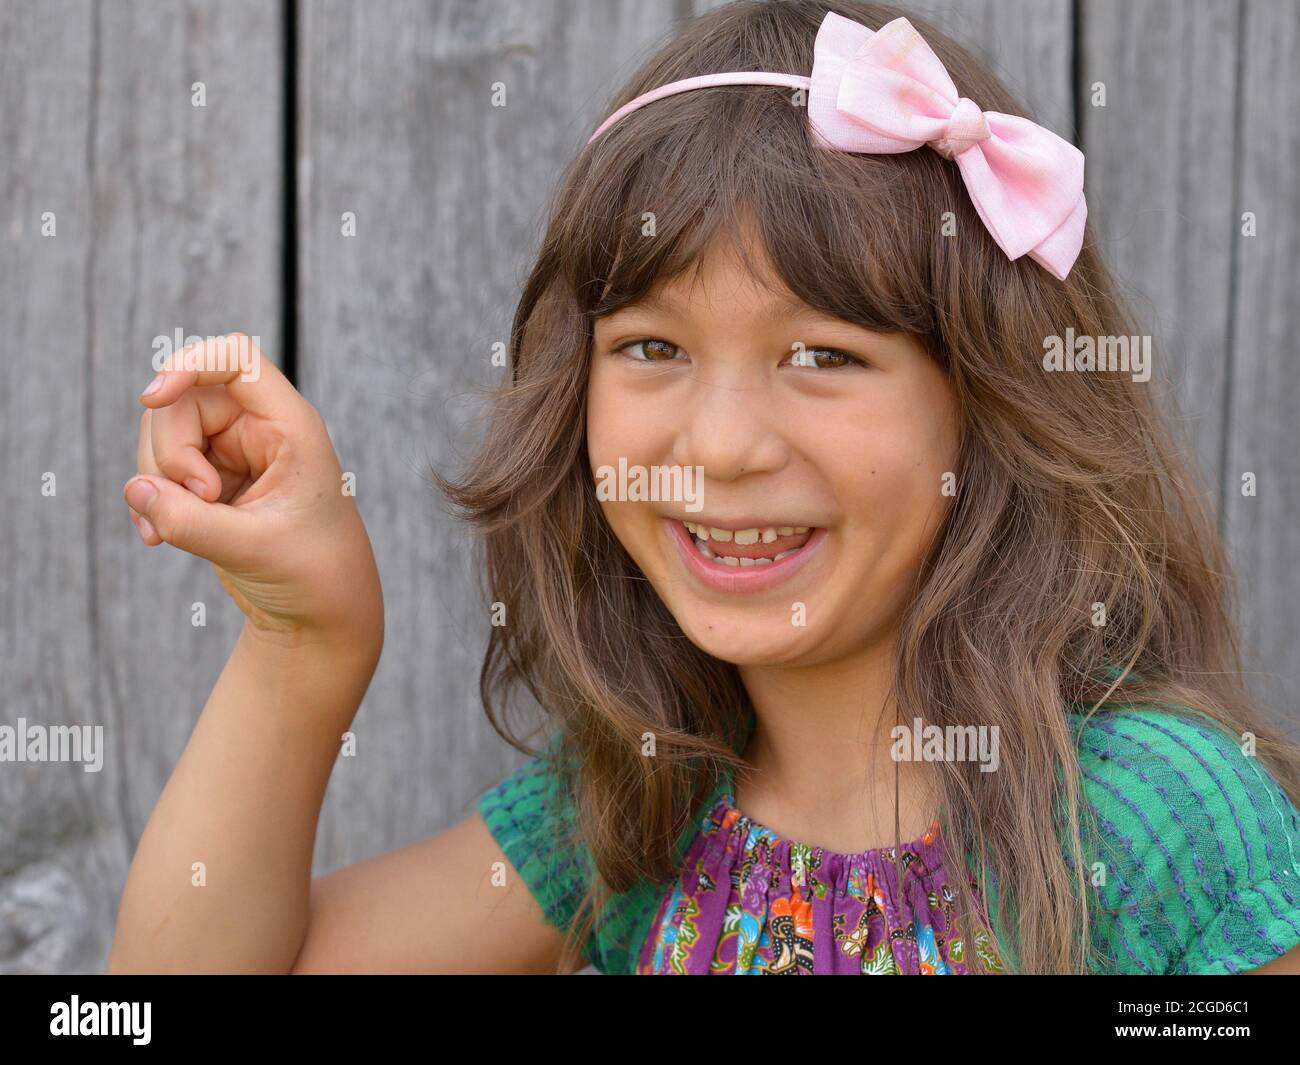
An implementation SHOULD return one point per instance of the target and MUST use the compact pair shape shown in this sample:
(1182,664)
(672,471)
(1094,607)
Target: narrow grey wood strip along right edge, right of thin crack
(1263,393)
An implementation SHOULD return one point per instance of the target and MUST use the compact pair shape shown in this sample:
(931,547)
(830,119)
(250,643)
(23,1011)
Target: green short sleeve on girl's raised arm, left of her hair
(531,815)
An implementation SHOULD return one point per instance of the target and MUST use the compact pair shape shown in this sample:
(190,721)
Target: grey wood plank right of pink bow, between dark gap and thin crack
(1160,192)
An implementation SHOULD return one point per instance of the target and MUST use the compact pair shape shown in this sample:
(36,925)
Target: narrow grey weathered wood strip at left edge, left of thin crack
(57,841)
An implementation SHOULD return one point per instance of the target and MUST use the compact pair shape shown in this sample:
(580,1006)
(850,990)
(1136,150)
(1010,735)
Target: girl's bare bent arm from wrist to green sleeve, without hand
(245,800)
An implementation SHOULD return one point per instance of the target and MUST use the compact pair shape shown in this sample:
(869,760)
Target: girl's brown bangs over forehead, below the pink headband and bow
(852,236)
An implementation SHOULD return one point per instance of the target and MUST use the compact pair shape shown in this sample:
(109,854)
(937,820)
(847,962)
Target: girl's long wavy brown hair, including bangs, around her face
(1071,491)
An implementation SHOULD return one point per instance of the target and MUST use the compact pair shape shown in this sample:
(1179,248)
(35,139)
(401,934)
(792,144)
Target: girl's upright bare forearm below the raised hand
(222,880)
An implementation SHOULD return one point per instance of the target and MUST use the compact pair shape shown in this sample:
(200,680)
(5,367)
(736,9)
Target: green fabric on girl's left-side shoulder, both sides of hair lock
(532,815)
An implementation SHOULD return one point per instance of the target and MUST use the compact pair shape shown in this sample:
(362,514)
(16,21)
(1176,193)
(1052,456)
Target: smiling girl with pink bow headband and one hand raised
(922,660)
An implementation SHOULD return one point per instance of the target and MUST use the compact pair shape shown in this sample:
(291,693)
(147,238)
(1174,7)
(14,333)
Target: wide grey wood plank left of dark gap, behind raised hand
(168,217)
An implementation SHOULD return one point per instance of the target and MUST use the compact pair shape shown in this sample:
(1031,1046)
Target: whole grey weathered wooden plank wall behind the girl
(228,218)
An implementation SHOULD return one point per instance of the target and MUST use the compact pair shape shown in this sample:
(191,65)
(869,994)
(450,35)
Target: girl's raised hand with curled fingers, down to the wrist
(239,467)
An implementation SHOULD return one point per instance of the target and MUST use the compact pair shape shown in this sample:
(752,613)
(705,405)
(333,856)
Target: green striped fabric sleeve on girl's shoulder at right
(1197,846)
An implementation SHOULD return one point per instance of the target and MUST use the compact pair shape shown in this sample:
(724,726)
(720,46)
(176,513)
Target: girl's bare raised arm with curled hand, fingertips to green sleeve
(242,473)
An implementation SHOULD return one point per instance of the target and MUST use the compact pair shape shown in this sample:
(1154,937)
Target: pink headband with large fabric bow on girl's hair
(886,93)
